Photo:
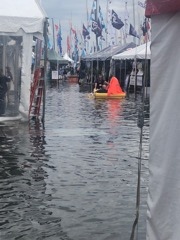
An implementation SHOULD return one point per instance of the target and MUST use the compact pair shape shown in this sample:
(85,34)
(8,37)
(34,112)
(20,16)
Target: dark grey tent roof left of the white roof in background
(108,52)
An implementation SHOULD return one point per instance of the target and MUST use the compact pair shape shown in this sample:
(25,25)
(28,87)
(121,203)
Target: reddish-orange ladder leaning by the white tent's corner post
(36,94)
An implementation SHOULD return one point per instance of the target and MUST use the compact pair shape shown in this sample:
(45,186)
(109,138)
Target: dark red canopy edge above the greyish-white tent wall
(154,7)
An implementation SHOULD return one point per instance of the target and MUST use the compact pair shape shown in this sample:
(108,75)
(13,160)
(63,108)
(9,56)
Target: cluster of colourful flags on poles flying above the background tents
(96,24)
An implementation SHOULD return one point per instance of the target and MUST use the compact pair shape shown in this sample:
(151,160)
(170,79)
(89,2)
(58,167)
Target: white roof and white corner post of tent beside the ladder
(24,18)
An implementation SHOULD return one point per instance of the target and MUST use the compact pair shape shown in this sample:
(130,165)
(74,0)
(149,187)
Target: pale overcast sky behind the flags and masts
(75,12)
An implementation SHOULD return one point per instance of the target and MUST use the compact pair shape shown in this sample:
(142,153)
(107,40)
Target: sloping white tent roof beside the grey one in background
(140,52)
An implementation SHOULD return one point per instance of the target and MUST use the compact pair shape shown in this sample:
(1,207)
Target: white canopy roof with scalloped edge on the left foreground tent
(21,14)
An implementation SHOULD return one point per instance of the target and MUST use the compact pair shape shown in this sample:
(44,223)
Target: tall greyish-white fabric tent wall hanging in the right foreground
(163,216)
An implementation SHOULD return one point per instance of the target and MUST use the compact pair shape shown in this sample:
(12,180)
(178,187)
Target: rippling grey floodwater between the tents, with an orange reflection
(75,180)
